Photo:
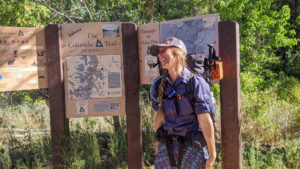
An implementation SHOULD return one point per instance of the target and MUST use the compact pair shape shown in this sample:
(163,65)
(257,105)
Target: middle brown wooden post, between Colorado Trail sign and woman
(133,114)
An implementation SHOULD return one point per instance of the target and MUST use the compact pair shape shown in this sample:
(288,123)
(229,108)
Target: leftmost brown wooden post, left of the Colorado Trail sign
(58,122)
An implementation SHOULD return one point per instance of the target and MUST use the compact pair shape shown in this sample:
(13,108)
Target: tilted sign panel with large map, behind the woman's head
(195,32)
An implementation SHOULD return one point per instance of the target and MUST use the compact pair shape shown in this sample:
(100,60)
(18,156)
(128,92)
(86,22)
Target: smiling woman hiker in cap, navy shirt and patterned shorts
(177,123)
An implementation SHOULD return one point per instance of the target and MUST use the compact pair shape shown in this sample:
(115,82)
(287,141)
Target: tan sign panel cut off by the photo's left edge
(23,64)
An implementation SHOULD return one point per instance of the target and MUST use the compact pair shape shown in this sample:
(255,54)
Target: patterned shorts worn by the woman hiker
(192,158)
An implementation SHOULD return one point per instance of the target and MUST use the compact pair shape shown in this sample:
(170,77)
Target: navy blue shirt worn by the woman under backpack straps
(185,120)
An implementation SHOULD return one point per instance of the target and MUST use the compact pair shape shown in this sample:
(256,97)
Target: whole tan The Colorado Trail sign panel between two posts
(93,57)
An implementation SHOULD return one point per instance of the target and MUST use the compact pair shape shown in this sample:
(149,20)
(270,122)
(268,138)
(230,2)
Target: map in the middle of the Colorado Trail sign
(94,76)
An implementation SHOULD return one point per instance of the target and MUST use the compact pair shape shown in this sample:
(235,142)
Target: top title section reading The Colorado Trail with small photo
(91,39)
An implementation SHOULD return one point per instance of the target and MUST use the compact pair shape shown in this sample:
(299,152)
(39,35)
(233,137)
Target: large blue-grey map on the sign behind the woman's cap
(196,33)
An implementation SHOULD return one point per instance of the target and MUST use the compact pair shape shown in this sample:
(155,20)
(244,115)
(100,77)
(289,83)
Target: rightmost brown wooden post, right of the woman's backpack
(229,49)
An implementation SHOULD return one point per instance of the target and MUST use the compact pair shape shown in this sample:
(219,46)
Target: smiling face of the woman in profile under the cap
(166,58)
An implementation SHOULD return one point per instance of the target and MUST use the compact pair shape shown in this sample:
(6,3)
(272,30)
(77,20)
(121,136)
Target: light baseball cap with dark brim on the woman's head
(168,42)
